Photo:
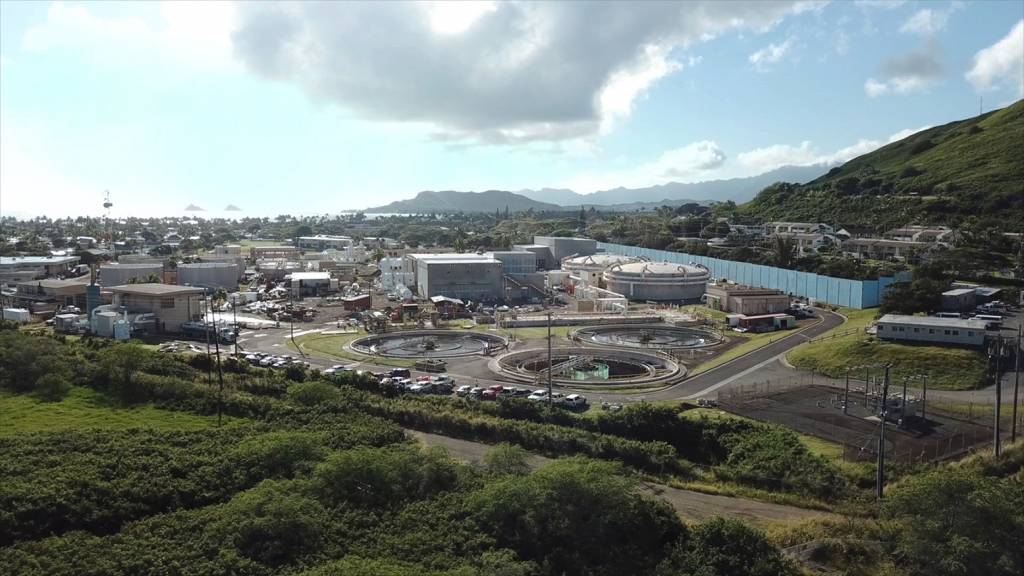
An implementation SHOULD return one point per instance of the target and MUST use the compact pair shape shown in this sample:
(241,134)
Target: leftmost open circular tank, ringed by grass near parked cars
(430,344)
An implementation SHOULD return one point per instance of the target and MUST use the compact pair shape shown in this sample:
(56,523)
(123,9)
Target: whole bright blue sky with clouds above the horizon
(308,108)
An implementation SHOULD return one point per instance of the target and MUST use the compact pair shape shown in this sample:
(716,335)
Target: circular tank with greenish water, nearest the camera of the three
(578,365)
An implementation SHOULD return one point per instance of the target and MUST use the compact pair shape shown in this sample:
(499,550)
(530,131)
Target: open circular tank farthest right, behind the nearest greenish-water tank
(647,337)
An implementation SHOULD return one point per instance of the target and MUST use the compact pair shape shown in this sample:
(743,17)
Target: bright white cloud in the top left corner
(190,32)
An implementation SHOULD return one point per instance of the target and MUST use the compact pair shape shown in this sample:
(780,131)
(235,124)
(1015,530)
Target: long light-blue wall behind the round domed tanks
(839,292)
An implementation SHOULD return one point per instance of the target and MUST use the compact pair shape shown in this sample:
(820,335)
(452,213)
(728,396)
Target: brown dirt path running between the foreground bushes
(691,506)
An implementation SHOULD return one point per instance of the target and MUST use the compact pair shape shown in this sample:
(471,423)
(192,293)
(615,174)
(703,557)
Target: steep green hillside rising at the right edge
(940,176)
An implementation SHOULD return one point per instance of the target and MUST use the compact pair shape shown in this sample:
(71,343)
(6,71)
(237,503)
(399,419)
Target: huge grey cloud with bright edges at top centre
(519,72)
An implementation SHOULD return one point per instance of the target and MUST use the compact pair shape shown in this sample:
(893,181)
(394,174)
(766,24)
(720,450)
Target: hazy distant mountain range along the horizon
(620,199)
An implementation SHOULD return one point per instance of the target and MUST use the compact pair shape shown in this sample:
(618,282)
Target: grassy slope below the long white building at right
(949,368)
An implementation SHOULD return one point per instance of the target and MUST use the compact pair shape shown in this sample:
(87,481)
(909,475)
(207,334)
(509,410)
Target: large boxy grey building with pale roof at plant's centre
(477,277)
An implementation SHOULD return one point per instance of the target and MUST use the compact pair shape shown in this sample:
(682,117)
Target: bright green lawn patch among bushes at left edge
(84,408)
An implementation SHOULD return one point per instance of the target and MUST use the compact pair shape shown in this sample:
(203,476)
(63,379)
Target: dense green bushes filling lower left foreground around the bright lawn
(320,479)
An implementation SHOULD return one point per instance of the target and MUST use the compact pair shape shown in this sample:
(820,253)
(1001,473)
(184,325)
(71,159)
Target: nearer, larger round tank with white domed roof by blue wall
(658,281)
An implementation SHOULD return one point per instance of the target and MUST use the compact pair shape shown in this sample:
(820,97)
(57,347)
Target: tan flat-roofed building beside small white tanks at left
(173,306)
